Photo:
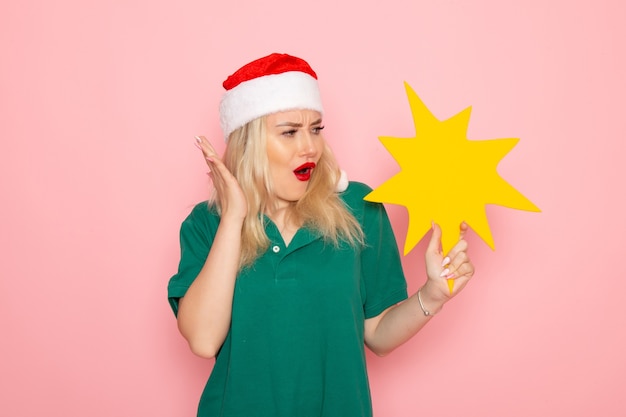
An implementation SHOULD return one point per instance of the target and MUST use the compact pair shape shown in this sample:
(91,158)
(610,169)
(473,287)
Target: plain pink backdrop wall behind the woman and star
(99,102)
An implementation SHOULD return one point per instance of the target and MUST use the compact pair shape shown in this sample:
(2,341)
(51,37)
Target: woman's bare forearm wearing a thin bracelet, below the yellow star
(401,322)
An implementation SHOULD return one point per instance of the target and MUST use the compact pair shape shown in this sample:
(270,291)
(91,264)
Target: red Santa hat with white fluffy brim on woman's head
(274,83)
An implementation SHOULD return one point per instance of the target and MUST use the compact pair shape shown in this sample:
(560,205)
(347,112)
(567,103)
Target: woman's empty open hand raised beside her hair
(230,196)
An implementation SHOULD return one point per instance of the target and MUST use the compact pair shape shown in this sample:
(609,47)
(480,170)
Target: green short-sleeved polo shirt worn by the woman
(296,346)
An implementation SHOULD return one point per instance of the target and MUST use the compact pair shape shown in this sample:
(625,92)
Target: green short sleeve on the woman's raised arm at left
(196,237)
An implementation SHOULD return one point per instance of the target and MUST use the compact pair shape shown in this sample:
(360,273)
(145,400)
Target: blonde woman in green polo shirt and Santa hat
(286,273)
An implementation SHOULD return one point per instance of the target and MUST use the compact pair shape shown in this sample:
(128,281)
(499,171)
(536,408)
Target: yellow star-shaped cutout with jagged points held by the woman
(446,178)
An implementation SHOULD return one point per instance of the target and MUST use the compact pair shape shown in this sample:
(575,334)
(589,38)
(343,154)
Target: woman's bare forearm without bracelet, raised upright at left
(204,313)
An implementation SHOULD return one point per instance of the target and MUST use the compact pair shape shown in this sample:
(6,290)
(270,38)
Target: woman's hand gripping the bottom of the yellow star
(455,265)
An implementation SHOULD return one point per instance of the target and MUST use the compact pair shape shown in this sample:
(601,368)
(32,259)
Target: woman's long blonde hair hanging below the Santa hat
(320,208)
